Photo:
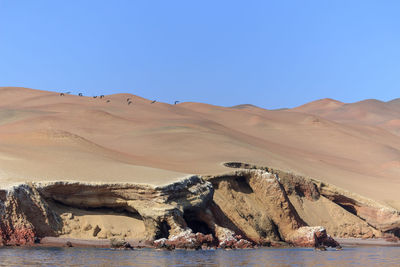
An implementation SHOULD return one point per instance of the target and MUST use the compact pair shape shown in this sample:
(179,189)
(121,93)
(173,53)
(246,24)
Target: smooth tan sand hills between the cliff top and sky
(45,136)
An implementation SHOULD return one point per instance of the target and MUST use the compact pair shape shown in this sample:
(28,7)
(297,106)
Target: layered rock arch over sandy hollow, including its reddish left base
(26,216)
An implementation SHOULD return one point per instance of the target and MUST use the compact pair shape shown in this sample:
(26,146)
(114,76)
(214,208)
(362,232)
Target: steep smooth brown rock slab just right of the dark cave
(254,205)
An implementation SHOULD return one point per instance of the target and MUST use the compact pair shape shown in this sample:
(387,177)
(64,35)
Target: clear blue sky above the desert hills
(268,53)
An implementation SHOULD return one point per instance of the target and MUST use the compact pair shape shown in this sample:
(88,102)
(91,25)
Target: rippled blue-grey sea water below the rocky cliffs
(349,256)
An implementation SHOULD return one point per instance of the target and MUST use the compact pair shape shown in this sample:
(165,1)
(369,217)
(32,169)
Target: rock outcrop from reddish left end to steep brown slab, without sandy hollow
(238,210)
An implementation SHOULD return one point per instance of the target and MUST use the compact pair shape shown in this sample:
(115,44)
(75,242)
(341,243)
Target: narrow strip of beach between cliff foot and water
(137,244)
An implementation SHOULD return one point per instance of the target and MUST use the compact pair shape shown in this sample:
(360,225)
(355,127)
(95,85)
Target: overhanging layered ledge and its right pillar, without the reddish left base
(160,208)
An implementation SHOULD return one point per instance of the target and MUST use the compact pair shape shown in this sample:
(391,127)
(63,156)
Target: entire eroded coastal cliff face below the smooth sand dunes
(239,209)
